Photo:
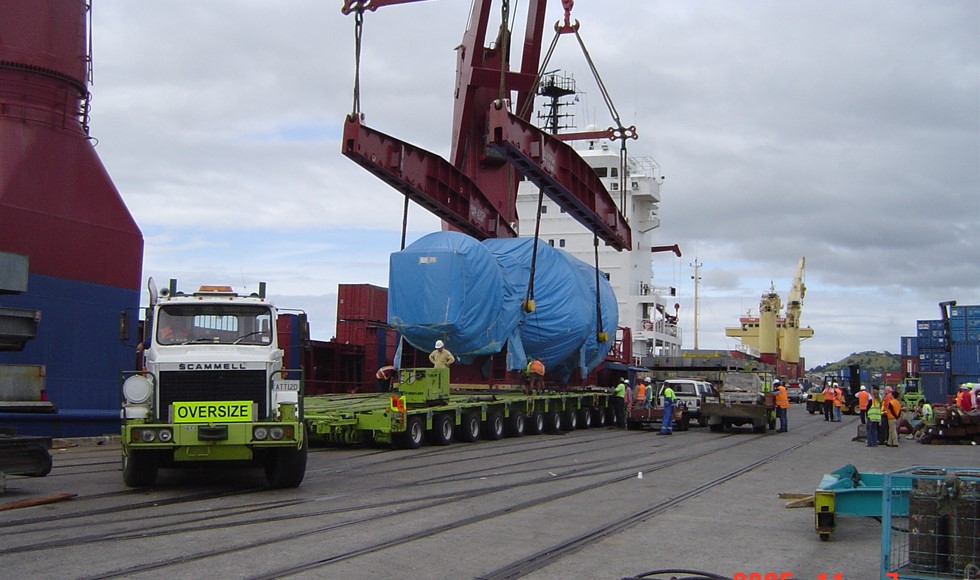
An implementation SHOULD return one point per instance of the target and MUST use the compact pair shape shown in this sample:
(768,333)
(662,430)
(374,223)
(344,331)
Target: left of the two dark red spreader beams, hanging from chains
(427,179)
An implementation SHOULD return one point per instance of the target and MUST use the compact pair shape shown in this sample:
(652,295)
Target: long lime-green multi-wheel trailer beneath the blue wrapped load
(423,404)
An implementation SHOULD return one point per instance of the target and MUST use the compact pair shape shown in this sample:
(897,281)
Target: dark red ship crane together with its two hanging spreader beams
(475,191)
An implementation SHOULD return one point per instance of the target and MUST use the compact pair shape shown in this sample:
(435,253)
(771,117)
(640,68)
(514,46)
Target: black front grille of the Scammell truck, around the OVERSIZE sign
(213,386)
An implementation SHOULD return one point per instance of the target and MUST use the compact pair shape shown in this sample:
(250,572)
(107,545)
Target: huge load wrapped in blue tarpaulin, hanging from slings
(449,286)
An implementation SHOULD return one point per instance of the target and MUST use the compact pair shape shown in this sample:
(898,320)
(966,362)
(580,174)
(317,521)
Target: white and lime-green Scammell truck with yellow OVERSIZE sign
(213,389)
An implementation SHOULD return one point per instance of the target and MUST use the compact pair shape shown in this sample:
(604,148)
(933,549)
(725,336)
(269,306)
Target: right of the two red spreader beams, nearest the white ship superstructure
(564,176)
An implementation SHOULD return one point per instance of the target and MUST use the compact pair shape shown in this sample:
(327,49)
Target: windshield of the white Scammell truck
(214,324)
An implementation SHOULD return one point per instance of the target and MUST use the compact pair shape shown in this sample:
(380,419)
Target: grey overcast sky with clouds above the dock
(844,131)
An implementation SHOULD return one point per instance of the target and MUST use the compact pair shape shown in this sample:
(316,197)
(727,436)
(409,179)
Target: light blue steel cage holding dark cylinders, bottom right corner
(942,538)
